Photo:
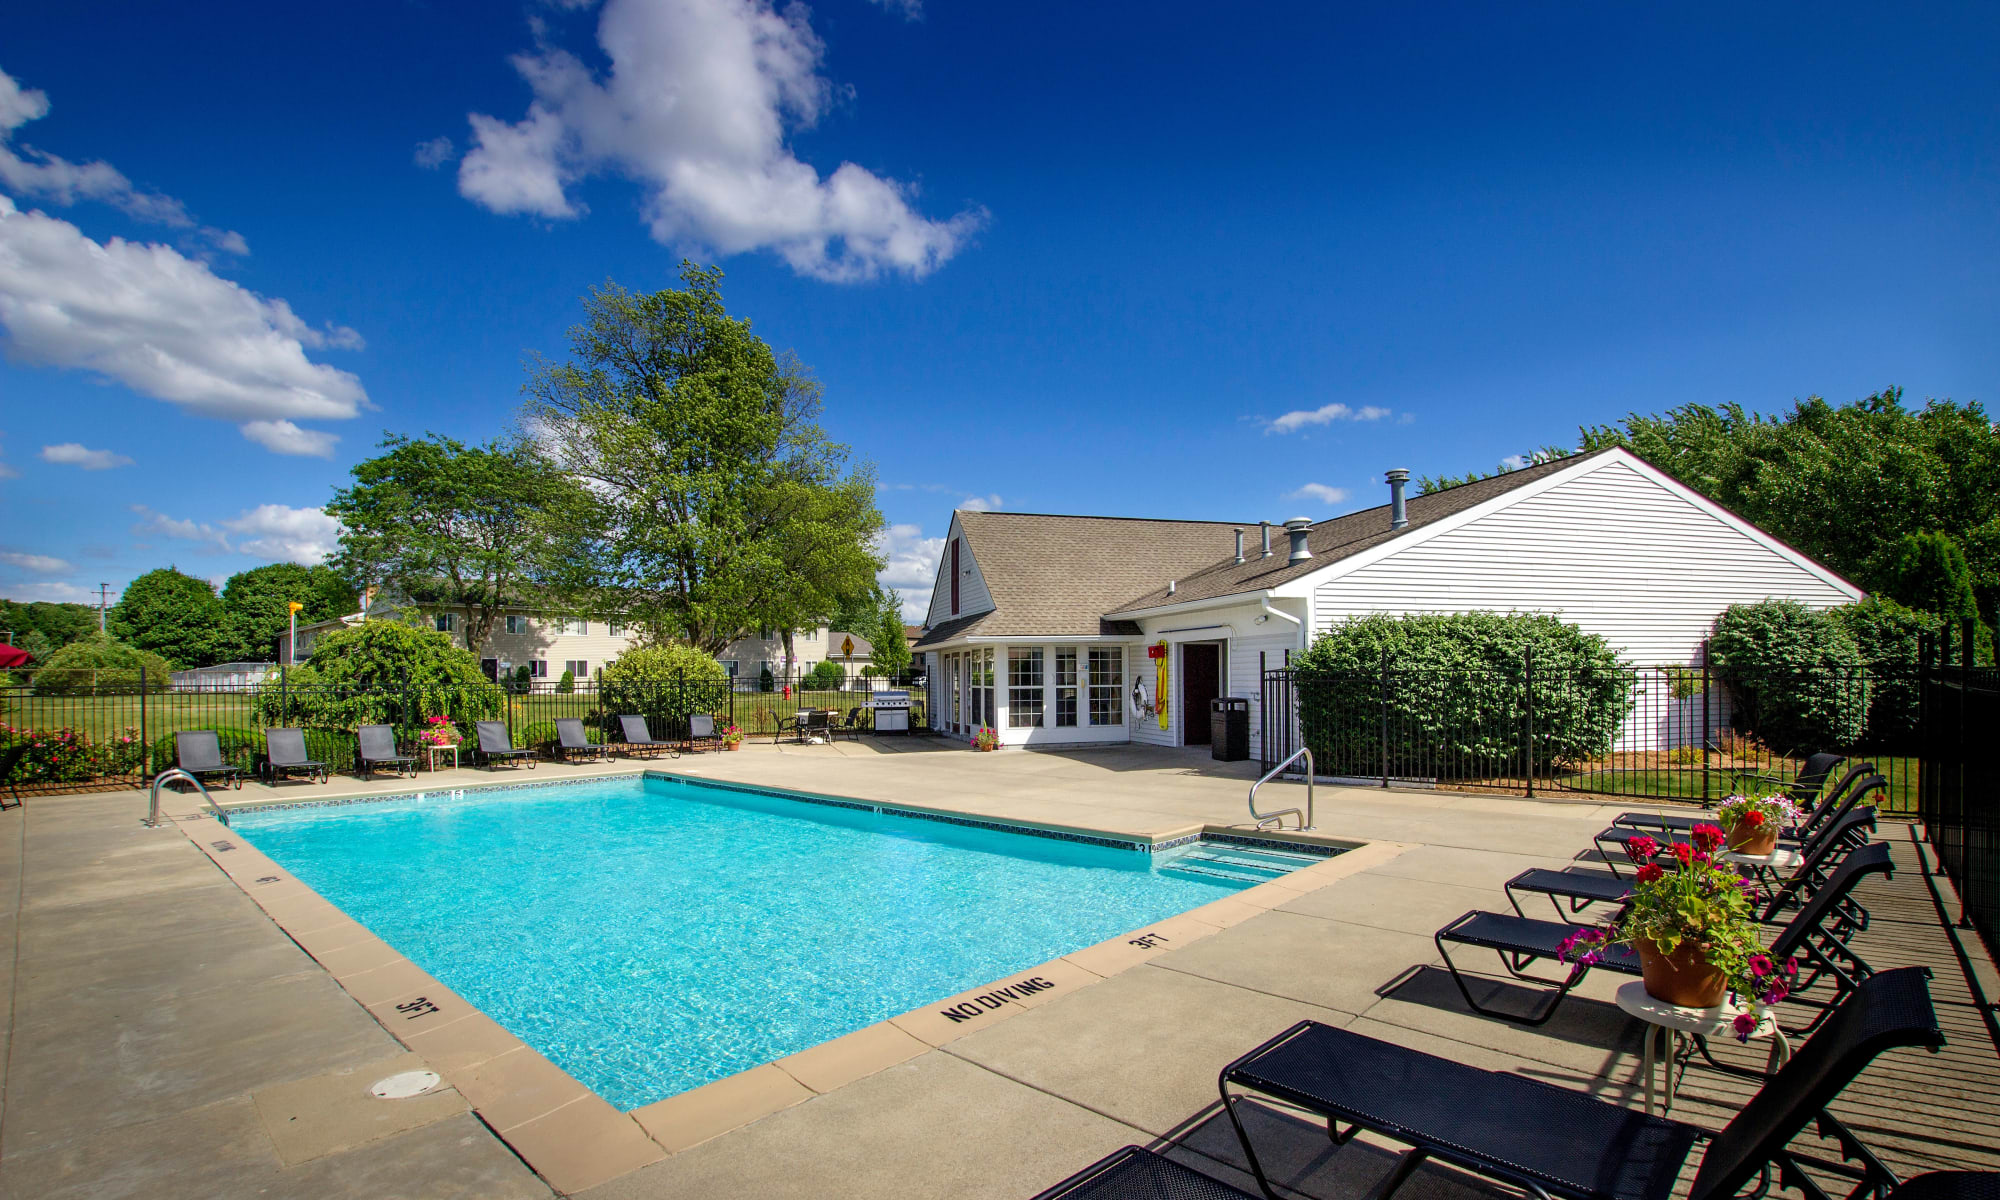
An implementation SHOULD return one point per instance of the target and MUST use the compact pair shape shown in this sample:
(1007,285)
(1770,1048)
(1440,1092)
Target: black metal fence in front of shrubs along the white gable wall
(1657,733)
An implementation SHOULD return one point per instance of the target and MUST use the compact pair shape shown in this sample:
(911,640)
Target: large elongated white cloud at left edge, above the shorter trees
(167,327)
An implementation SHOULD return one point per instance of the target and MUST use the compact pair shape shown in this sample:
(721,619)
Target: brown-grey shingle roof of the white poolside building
(1069,577)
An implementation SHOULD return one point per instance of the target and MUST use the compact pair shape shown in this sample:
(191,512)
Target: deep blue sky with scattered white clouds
(1055,259)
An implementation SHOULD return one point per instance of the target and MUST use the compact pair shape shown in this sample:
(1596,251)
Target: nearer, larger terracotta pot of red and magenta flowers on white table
(1693,925)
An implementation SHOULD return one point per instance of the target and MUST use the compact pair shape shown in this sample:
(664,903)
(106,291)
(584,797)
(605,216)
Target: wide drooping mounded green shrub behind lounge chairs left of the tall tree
(381,673)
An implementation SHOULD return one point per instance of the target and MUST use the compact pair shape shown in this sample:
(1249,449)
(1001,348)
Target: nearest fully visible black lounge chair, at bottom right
(1561,1145)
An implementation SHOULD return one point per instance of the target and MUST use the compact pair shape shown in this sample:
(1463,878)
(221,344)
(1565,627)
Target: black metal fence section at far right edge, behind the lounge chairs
(1959,799)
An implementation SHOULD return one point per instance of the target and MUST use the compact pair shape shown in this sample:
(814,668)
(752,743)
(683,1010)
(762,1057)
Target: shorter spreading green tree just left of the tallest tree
(443,523)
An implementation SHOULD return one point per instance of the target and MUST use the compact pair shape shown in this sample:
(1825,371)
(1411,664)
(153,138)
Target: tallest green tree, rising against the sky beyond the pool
(719,505)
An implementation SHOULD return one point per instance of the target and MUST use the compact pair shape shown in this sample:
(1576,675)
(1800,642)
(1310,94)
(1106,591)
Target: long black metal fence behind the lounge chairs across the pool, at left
(123,731)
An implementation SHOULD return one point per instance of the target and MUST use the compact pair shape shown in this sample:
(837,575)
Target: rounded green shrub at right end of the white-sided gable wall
(1793,673)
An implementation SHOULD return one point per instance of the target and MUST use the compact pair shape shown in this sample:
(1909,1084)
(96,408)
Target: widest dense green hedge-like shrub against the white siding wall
(1455,699)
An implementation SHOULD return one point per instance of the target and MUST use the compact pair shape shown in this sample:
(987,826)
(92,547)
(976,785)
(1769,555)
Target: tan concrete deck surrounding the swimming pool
(169,1039)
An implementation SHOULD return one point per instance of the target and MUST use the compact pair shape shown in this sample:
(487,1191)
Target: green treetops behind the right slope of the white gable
(1841,483)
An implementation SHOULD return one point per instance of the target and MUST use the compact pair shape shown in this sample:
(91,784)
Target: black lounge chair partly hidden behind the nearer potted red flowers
(1817,933)
